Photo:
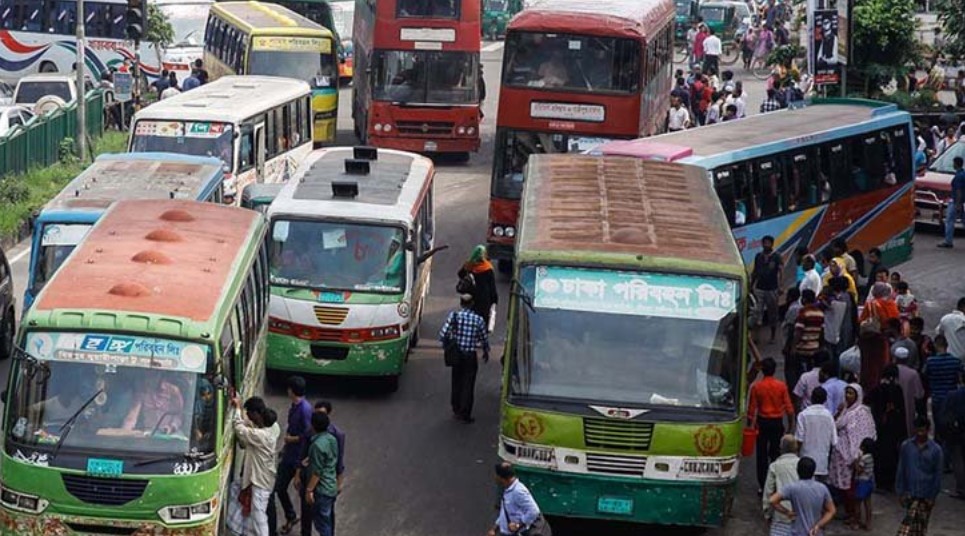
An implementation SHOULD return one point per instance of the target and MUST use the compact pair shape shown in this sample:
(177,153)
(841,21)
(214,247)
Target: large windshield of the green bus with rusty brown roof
(627,338)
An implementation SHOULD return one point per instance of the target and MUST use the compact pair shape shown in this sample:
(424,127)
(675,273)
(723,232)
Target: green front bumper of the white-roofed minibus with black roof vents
(370,359)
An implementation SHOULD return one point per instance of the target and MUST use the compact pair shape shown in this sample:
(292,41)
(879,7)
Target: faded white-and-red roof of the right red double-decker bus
(637,19)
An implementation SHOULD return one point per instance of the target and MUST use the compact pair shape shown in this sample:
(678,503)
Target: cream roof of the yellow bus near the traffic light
(268,19)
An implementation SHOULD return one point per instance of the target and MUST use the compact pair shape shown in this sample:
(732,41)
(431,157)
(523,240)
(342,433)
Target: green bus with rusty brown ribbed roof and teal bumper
(623,391)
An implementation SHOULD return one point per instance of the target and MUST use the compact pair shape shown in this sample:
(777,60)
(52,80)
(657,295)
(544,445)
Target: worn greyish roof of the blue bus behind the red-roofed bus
(113,177)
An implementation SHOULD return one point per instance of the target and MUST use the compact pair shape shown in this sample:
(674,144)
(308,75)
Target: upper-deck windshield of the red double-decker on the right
(572,62)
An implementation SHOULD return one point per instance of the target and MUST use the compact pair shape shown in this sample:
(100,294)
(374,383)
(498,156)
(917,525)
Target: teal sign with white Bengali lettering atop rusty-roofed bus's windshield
(634,293)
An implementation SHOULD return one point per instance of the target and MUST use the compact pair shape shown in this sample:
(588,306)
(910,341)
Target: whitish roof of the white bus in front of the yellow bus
(229,99)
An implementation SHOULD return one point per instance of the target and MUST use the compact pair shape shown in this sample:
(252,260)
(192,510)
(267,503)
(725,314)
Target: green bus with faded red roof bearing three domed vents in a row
(116,417)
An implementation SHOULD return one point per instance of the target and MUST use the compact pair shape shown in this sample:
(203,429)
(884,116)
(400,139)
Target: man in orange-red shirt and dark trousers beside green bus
(769,402)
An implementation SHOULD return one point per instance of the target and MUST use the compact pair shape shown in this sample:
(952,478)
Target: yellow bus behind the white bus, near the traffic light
(267,39)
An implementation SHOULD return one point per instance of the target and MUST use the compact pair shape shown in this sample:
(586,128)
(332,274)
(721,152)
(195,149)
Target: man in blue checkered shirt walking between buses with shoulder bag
(469,331)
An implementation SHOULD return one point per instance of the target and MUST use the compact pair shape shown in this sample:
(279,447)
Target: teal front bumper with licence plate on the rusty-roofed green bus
(664,502)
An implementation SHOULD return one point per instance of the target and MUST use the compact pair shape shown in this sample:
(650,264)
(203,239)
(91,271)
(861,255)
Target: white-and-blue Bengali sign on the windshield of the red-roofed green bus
(118,350)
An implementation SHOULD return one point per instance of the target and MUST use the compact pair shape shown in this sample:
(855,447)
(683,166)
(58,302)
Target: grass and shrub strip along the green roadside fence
(21,195)
